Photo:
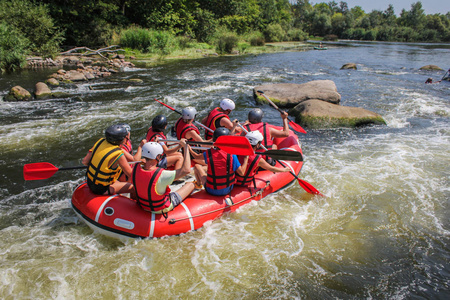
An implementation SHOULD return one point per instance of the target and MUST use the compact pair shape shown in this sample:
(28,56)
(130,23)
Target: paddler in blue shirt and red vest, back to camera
(221,167)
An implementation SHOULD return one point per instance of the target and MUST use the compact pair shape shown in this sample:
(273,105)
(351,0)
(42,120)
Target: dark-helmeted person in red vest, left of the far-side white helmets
(171,155)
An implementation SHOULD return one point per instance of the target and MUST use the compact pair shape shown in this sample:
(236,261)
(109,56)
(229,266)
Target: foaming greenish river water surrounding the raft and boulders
(382,232)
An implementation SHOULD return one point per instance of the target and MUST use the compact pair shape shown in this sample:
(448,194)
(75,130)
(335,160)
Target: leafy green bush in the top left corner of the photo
(33,22)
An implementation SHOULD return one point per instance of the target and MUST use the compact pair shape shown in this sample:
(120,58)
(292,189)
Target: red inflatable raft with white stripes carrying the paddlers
(121,217)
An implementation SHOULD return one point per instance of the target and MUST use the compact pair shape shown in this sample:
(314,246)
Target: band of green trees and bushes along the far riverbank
(169,29)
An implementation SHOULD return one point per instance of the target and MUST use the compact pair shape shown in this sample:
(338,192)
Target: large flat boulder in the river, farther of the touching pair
(291,94)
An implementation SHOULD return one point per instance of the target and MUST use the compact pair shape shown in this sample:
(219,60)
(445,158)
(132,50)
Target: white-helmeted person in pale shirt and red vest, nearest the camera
(151,183)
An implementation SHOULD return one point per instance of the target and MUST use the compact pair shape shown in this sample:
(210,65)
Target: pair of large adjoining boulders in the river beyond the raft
(315,104)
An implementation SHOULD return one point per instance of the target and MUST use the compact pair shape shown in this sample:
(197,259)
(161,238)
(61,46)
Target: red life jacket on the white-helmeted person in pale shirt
(145,186)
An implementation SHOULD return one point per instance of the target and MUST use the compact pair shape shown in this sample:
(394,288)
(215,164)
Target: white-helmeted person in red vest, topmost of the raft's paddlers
(219,117)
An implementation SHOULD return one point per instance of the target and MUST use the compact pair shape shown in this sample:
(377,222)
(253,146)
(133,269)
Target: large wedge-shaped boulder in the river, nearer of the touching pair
(321,114)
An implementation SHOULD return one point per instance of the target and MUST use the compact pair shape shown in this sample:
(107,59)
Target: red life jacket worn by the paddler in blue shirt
(220,174)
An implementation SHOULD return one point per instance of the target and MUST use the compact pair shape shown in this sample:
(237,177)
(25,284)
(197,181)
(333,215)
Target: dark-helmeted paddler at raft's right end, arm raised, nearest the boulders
(255,122)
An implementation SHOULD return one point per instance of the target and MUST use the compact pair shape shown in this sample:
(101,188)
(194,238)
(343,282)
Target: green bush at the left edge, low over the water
(13,48)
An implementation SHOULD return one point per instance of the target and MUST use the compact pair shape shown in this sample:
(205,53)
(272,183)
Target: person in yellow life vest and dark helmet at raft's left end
(105,160)
